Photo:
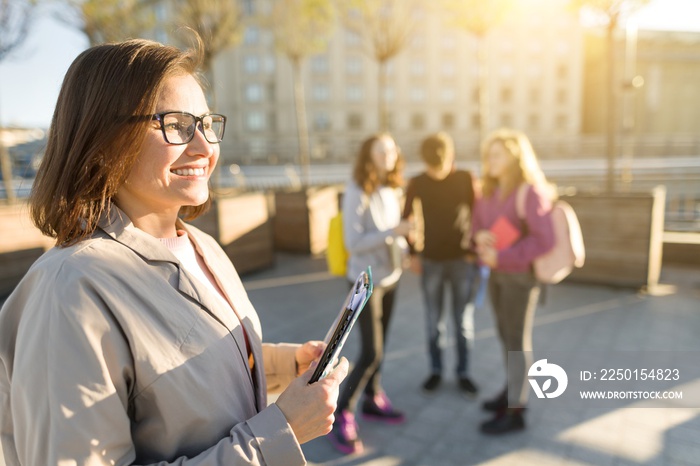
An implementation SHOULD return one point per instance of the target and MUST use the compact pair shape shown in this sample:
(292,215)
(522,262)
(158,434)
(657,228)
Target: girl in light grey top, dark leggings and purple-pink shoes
(374,236)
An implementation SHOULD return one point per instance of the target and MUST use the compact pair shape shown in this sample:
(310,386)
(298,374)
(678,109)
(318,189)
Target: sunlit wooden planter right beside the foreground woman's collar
(242,224)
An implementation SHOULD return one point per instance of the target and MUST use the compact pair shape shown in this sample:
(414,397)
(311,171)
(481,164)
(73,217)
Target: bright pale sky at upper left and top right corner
(31,77)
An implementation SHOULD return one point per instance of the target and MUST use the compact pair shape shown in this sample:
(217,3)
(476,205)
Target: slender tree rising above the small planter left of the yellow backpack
(300,28)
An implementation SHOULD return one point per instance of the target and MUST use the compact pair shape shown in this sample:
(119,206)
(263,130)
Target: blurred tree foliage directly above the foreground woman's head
(110,20)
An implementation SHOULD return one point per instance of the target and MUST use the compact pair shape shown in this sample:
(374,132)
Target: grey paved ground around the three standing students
(297,300)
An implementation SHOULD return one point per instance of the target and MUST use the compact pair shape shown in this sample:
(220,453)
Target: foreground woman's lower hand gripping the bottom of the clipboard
(309,408)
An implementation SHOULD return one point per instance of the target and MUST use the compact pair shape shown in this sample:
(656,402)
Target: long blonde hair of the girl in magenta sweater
(525,169)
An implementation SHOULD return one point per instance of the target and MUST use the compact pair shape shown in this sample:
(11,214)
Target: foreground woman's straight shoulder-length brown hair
(103,111)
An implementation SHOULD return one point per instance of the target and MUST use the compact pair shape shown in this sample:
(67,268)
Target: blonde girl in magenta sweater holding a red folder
(510,169)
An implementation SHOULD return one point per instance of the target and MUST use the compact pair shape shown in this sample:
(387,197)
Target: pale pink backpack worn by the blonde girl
(568,251)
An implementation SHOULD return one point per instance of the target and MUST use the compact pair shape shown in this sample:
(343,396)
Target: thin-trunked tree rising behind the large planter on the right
(611,13)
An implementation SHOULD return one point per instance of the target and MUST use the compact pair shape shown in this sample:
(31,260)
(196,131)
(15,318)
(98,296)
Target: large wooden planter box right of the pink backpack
(623,233)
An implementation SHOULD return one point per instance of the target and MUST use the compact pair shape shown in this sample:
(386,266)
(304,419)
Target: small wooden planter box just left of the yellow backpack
(302,218)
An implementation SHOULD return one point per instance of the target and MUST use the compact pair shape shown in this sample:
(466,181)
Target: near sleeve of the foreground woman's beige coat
(72,382)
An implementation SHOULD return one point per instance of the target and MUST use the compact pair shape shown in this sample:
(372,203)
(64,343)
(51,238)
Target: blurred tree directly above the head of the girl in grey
(385,27)
